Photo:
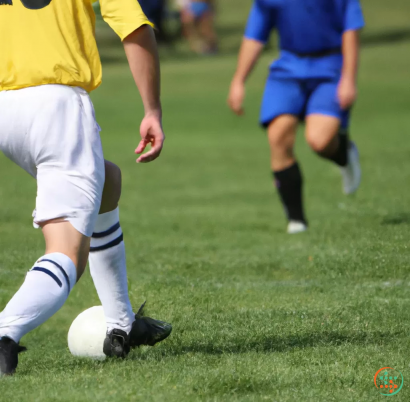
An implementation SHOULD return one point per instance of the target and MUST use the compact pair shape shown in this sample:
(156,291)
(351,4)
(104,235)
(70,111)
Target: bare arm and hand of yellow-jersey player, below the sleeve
(141,50)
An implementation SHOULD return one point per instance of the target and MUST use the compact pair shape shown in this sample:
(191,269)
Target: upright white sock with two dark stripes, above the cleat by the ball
(109,272)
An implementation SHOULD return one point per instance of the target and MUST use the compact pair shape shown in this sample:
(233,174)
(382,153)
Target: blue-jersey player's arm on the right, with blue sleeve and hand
(347,90)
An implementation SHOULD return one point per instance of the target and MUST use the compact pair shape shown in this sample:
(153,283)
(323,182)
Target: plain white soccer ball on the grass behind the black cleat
(87,333)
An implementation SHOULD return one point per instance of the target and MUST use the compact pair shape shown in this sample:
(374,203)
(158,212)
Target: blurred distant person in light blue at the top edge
(198,21)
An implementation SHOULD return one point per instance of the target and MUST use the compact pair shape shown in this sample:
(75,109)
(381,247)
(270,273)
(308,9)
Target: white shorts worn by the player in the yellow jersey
(50,131)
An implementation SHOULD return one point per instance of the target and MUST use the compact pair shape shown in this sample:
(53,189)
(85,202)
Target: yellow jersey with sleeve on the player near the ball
(53,41)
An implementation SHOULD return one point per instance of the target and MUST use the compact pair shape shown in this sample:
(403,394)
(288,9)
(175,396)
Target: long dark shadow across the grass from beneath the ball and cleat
(57,363)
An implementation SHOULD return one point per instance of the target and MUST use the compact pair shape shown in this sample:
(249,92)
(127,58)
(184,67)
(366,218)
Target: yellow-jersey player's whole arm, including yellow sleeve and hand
(126,18)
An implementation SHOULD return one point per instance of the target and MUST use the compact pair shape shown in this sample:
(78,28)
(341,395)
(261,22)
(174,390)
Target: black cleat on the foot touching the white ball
(144,331)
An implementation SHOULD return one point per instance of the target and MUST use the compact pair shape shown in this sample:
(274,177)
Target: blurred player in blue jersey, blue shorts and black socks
(313,80)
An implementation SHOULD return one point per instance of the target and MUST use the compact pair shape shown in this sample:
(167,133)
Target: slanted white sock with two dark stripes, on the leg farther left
(43,293)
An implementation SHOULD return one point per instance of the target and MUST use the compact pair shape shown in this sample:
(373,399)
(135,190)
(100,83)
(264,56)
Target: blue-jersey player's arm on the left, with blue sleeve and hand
(260,24)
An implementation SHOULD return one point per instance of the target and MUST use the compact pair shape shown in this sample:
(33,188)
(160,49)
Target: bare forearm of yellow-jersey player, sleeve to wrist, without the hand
(142,54)
